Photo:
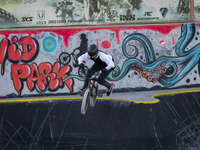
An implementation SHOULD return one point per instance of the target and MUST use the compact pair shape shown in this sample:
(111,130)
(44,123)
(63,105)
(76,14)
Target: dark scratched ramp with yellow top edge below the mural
(112,124)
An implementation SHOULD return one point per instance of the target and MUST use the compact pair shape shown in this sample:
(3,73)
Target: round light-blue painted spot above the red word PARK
(49,44)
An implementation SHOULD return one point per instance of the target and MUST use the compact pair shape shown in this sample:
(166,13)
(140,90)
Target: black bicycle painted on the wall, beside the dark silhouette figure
(65,58)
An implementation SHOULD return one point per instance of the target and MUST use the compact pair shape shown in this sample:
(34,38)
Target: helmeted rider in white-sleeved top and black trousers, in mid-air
(102,62)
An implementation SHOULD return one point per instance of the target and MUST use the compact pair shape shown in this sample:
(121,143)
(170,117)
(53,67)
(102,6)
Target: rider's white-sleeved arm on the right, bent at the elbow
(107,59)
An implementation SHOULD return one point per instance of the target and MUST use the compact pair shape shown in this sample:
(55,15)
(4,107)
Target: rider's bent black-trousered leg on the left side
(90,72)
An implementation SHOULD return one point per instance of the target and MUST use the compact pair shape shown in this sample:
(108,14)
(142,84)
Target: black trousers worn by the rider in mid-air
(101,79)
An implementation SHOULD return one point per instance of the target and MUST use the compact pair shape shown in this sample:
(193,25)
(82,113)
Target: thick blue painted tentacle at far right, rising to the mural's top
(187,57)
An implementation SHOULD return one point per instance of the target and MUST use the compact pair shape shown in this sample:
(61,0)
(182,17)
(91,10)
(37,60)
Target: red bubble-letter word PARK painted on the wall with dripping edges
(45,76)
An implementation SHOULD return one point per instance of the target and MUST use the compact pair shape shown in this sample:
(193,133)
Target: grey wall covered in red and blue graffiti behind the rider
(44,61)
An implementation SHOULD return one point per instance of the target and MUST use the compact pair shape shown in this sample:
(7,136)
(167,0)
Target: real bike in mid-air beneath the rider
(90,95)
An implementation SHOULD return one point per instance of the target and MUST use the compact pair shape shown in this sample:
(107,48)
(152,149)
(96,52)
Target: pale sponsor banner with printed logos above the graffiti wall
(25,13)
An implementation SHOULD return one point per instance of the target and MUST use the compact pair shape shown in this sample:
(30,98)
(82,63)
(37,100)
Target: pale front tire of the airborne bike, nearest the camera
(85,101)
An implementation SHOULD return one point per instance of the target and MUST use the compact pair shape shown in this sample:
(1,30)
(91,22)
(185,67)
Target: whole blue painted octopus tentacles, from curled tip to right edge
(177,67)
